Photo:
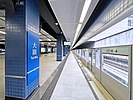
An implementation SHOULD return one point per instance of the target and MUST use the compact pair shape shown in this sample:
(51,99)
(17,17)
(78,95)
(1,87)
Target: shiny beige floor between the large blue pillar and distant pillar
(48,64)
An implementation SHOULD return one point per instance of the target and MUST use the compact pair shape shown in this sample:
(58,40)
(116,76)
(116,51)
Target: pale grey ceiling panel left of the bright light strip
(68,14)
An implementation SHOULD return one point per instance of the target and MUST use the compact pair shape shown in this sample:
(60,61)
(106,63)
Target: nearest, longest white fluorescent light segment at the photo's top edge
(84,11)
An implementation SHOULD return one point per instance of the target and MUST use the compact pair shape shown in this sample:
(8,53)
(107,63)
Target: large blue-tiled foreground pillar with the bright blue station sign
(22,49)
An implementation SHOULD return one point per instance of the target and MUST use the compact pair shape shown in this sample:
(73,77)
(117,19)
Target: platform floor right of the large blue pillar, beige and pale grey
(65,80)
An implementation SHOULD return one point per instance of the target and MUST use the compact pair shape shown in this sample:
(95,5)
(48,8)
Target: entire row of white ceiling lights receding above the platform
(82,17)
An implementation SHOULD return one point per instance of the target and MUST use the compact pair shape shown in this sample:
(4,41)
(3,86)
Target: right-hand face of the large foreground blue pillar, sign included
(32,26)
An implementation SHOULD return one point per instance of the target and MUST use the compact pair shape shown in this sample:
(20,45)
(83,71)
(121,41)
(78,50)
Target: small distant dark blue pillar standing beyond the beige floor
(59,47)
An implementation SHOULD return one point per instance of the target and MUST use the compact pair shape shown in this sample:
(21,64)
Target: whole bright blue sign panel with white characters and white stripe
(33,57)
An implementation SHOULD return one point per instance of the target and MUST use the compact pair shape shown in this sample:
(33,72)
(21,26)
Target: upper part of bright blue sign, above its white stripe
(33,51)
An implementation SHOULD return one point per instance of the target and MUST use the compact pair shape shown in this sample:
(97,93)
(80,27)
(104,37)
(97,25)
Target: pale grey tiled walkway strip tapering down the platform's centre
(72,84)
